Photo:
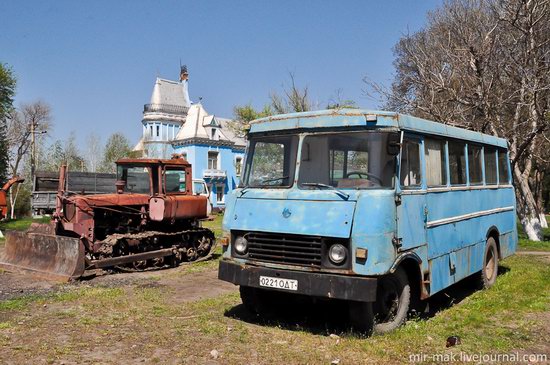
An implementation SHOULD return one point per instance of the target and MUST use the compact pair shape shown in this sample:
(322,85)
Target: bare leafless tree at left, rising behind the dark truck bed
(23,125)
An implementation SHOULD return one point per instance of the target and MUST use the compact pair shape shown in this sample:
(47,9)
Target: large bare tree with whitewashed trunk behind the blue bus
(482,65)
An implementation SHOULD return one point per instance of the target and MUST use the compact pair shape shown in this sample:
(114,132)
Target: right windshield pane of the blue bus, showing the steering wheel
(353,160)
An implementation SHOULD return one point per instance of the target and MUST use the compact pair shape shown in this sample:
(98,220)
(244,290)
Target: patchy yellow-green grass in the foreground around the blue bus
(146,323)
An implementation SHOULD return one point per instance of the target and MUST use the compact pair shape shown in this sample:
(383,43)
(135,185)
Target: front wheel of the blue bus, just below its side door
(393,300)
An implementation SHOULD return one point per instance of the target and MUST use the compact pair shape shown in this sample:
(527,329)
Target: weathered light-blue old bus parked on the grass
(379,209)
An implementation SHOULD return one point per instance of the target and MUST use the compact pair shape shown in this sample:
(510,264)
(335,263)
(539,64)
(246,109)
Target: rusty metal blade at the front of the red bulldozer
(44,255)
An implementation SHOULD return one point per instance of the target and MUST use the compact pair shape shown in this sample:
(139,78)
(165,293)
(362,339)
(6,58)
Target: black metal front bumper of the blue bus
(361,289)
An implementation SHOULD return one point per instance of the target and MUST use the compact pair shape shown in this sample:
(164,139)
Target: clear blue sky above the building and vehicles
(95,62)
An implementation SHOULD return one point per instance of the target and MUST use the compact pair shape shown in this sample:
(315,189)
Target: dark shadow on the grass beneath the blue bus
(323,317)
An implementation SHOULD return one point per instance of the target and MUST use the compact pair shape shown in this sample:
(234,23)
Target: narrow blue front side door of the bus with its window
(411,198)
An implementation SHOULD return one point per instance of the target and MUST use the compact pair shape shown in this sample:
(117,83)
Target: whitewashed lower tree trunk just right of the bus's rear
(527,207)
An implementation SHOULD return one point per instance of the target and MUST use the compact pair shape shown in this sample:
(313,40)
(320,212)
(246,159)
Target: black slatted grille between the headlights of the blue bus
(285,248)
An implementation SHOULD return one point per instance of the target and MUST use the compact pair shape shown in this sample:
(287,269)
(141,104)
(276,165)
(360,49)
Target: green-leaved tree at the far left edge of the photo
(7,91)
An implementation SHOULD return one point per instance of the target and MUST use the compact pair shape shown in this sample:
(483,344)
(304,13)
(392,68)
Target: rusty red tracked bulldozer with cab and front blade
(153,221)
